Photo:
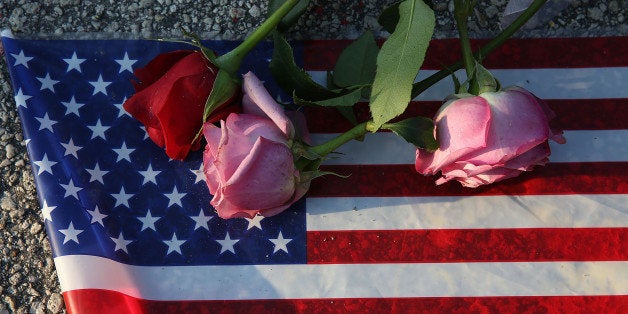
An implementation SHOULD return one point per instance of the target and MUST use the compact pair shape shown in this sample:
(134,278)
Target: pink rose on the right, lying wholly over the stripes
(489,138)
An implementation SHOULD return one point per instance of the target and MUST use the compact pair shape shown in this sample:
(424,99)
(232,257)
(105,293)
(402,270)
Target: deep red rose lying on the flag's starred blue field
(170,98)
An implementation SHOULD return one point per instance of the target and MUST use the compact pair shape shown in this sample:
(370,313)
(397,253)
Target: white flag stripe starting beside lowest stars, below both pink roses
(463,212)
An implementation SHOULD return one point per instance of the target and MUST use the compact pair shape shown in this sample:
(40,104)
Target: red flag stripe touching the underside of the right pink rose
(403,180)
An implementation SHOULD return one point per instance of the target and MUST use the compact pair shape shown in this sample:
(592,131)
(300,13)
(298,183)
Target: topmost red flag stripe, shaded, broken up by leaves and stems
(530,53)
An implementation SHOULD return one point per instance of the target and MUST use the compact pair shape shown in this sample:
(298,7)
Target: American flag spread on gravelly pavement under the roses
(132,231)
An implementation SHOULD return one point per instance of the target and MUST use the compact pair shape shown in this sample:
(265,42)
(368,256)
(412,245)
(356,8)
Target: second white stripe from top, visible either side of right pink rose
(601,146)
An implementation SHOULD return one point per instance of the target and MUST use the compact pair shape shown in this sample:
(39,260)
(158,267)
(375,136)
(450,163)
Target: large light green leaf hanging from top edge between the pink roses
(399,61)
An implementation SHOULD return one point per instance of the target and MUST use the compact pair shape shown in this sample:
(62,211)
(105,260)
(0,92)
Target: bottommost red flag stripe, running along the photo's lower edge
(104,301)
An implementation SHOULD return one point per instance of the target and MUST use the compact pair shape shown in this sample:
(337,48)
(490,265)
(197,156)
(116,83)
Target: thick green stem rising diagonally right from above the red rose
(230,61)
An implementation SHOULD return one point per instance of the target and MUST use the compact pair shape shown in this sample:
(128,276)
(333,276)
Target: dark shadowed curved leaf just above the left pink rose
(291,78)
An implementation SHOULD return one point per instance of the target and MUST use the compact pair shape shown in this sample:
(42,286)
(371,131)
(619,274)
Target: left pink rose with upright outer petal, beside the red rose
(248,161)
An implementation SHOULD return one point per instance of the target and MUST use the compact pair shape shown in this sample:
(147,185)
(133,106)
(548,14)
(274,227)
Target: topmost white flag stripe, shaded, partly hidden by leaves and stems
(573,83)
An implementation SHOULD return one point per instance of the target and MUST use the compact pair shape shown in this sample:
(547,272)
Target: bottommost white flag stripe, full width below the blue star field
(344,280)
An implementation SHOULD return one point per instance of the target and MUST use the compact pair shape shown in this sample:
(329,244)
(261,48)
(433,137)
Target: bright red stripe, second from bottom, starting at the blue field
(467,245)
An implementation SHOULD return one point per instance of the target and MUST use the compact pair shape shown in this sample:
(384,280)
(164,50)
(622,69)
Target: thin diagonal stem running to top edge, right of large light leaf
(421,86)
